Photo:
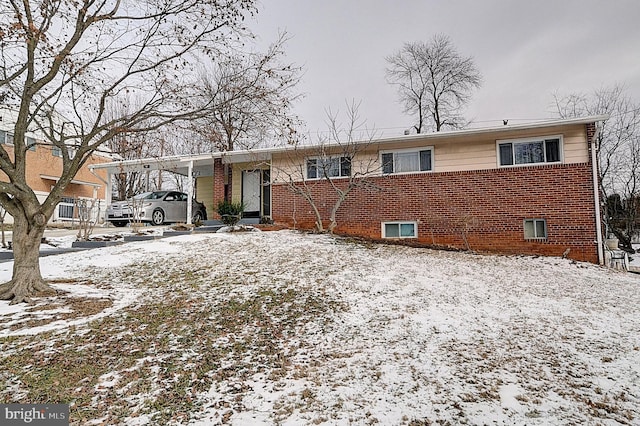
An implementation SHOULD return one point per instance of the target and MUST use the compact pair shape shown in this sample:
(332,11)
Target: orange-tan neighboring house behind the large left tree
(44,168)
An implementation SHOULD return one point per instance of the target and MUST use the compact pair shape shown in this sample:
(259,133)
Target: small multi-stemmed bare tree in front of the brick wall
(334,161)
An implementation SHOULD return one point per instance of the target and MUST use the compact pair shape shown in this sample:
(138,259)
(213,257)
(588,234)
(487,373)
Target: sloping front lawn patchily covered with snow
(287,328)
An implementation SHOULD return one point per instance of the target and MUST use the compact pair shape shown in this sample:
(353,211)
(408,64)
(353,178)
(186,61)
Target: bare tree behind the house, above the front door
(251,96)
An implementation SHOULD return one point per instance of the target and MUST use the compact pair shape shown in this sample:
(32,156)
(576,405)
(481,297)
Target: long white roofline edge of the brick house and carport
(186,158)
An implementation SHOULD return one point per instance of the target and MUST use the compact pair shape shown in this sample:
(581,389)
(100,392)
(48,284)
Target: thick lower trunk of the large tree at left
(27,279)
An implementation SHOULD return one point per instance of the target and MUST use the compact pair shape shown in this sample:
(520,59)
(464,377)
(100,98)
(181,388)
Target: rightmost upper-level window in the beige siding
(529,151)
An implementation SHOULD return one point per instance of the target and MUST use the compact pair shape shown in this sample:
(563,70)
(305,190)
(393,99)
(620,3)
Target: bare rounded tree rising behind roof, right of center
(434,82)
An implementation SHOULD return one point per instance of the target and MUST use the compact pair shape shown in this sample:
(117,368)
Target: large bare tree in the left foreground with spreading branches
(65,64)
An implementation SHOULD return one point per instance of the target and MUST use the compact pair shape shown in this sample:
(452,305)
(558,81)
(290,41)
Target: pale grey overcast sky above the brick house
(525,50)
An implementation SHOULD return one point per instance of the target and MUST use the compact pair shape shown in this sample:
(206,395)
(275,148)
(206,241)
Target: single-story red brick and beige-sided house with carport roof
(516,189)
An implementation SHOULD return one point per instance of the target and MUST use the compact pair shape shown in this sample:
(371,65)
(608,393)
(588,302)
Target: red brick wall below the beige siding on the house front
(490,204)
